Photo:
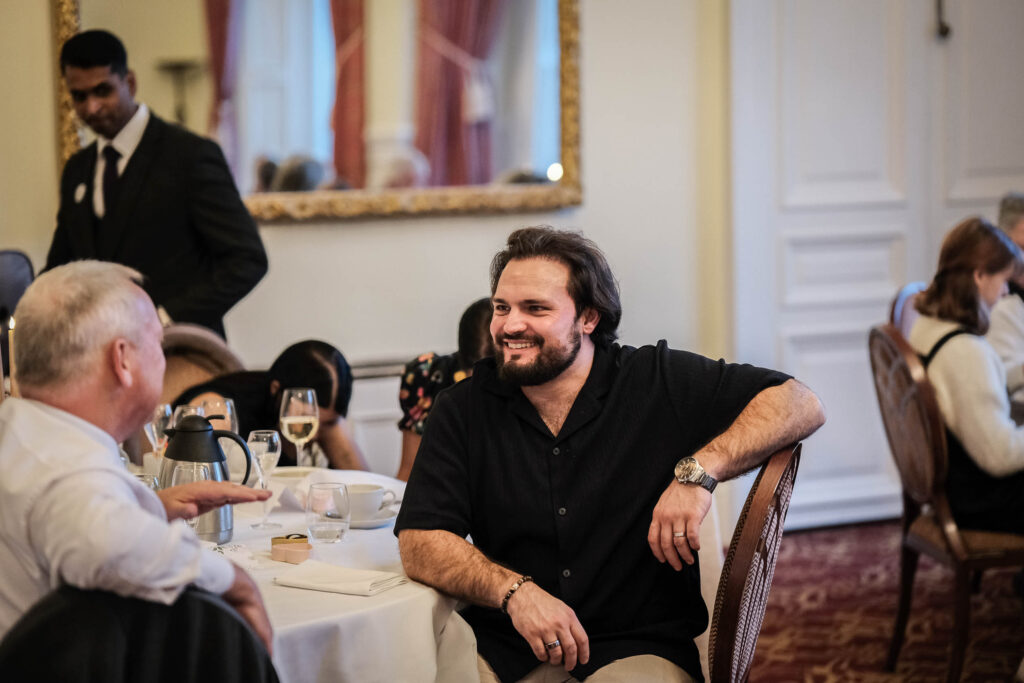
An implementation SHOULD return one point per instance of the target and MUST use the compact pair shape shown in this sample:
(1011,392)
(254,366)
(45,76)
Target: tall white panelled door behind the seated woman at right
(859,139)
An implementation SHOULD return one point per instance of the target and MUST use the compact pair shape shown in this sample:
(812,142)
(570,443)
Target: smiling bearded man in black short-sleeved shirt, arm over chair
(559,458)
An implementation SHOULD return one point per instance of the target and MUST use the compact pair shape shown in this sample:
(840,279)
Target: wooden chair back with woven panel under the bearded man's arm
(750,565)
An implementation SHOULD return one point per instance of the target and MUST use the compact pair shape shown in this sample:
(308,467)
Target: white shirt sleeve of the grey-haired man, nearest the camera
(106,541)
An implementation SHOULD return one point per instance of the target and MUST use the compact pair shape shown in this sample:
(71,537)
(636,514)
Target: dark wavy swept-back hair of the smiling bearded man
(591,283)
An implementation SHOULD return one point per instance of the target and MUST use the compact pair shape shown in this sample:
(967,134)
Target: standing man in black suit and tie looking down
(151,196)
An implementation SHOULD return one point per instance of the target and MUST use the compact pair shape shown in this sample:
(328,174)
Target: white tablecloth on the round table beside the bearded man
(409,633)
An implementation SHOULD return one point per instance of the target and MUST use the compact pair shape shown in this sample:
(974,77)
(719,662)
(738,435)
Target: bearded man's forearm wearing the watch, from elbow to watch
(776,418)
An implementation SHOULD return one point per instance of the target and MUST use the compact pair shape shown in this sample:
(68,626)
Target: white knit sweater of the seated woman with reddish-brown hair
(970,383)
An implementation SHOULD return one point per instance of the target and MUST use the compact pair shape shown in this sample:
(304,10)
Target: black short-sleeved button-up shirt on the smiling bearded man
(574,510)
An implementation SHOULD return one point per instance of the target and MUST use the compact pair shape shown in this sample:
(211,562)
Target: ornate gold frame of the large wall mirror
(354,204)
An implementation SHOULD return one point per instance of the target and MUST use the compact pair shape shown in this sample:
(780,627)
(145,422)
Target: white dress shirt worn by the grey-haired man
(70,514)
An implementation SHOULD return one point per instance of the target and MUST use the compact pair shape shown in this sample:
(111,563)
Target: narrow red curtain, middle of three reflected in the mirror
(348,118)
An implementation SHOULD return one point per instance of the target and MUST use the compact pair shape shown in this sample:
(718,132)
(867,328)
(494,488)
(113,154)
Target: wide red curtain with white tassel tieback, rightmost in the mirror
(454,101)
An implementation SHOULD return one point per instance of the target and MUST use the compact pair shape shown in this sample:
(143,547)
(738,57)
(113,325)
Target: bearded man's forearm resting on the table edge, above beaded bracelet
(453,566)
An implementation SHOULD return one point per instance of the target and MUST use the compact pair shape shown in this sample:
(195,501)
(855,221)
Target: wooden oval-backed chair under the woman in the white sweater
(918,441)
